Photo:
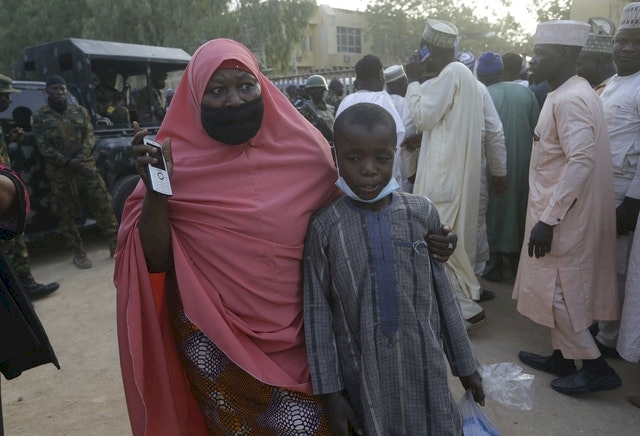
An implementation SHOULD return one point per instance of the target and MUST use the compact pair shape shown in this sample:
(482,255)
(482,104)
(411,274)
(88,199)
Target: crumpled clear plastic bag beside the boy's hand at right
(505,383)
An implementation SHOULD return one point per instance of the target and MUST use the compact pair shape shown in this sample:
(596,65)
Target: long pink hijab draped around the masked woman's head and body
(238,216)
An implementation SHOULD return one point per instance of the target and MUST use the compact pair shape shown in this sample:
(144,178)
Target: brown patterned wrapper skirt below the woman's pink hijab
(232,401)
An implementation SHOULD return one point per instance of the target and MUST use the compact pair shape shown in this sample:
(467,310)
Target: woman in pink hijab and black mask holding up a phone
(214,343)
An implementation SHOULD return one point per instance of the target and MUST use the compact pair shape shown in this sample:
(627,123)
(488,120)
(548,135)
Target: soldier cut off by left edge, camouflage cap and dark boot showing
(15,249)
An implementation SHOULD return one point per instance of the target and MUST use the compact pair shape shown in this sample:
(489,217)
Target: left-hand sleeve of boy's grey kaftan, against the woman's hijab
(318,318)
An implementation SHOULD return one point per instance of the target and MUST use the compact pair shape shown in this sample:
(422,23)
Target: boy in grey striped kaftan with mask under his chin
(380,314)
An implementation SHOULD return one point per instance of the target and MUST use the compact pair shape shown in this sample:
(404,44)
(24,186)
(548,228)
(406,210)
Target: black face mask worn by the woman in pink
(233,125)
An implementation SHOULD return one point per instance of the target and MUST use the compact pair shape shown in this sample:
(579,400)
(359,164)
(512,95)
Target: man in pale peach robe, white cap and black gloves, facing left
(570,221)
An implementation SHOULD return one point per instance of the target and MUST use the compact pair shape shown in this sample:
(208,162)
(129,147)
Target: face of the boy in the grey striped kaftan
(365,158)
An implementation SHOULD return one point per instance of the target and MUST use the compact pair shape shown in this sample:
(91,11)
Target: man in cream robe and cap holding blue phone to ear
(449,113)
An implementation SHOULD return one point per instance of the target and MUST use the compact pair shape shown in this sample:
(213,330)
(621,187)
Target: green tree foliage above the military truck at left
(270,28)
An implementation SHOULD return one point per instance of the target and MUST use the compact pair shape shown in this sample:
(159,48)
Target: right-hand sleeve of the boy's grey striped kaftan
(456,343)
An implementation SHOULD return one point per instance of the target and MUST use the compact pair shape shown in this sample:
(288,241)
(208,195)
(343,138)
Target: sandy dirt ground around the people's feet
(85,397)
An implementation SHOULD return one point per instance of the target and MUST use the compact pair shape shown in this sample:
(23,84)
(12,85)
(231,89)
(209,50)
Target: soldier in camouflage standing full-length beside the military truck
(64,135)
